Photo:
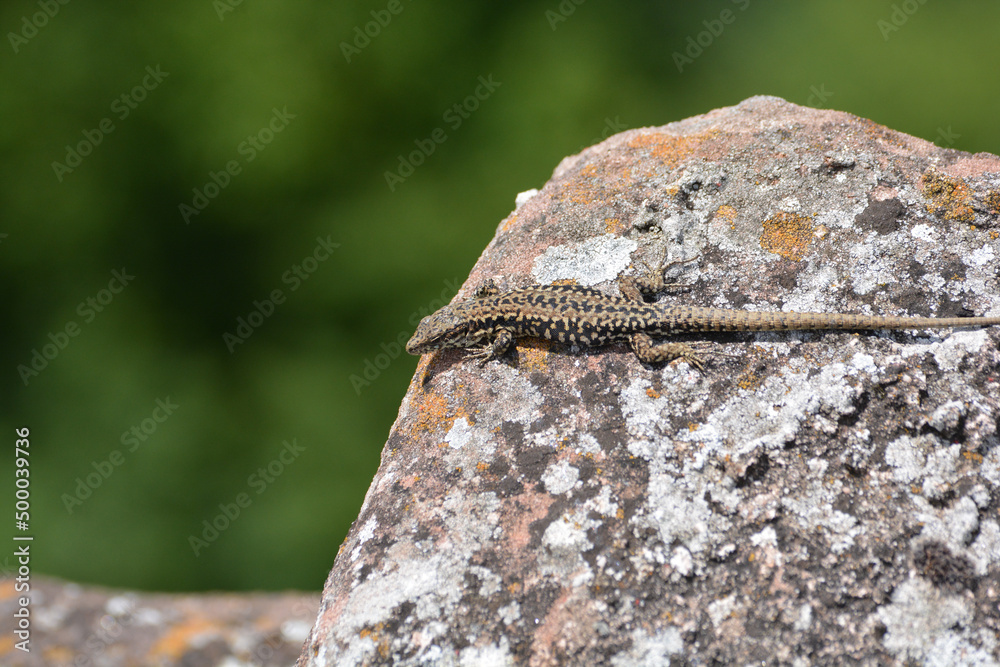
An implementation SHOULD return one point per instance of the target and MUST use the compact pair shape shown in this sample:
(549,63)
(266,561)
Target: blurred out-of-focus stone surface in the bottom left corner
(86,626)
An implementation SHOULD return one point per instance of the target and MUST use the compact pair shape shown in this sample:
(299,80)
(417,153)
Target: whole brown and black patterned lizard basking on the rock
(489,322)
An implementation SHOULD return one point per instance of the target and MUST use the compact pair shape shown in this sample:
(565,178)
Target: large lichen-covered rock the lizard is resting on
(814,499)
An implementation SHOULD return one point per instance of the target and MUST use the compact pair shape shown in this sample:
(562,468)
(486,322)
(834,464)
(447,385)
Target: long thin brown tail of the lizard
(693,318)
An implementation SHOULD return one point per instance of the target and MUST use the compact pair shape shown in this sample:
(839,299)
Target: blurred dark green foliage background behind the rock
(189,89)
